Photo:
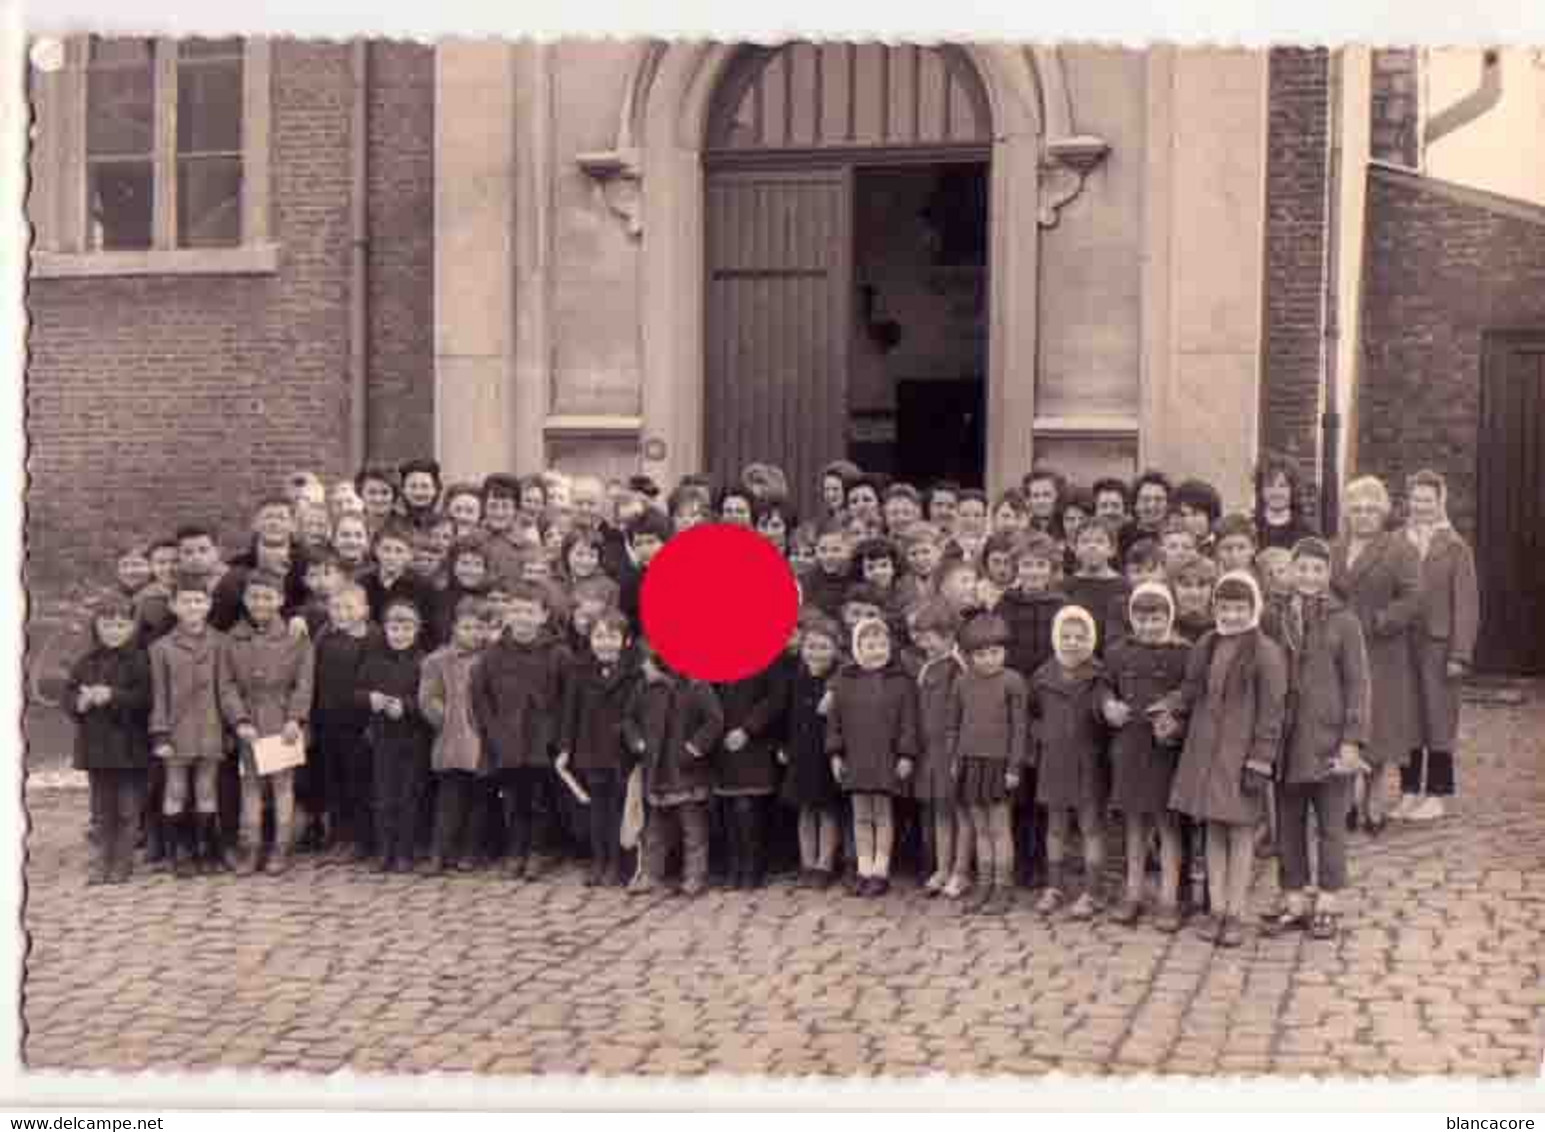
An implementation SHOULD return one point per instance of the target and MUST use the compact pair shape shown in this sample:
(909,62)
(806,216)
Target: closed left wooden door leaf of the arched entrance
(778,324)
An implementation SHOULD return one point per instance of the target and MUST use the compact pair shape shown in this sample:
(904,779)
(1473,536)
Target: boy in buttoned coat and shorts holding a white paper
(267,690)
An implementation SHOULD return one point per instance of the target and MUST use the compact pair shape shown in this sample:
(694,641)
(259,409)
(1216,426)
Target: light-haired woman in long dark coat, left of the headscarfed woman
(1377,572)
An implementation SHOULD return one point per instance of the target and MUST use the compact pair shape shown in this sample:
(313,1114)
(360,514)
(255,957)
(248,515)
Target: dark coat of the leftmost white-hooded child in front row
(874,725)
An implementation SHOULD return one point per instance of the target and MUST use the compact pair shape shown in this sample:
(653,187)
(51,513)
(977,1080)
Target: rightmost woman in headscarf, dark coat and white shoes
(1442,642)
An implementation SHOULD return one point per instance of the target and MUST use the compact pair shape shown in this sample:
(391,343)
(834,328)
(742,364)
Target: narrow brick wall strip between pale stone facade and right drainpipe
(1295,254)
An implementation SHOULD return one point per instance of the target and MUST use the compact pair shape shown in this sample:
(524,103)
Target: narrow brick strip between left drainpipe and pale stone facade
(401,416)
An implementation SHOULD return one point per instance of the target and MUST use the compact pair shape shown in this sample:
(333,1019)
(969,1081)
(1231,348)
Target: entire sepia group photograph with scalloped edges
(653,558)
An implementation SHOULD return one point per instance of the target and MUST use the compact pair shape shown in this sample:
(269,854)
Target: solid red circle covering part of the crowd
(719,603)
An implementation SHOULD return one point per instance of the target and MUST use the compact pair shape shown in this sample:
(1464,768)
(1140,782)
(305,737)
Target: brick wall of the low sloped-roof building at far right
(1444,265)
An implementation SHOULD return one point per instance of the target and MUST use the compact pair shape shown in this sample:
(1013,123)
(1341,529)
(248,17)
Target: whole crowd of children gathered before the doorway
(396,662)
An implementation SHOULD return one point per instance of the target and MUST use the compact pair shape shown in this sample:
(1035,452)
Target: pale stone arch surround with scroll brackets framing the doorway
(656,180)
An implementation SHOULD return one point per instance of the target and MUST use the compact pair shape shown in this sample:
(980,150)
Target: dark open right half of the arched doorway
(920,302)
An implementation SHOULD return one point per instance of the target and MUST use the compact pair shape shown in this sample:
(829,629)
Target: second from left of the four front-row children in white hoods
(1068,697)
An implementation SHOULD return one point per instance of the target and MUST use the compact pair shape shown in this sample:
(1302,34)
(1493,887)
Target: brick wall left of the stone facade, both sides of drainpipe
(171,399)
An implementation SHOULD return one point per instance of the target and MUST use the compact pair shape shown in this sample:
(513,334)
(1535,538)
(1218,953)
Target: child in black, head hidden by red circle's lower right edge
(745,767)
